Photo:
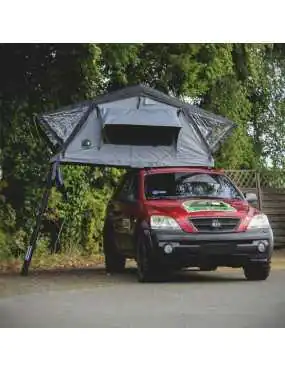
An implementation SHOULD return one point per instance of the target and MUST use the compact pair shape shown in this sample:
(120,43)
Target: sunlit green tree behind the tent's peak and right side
(212,75)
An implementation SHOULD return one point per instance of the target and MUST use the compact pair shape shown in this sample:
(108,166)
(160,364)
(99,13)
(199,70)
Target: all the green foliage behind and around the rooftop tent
(244,82)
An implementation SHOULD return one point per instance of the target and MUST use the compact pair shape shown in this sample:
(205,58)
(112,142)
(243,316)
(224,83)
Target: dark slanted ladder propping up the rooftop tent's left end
(36,230)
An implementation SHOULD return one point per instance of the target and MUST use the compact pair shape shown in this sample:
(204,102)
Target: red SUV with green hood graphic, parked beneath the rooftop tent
(173,218)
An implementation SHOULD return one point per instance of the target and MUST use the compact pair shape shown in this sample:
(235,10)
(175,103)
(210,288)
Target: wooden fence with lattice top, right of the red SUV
(270,189)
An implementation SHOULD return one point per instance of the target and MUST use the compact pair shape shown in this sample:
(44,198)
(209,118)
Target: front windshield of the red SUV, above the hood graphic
(194,184)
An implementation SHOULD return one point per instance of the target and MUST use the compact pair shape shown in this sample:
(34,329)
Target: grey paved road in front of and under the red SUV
(88,298)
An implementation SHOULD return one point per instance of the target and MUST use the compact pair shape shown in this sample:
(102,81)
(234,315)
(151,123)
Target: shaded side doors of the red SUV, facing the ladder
(123,211)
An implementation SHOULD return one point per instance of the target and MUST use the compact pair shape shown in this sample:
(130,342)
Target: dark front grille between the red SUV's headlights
(215,225)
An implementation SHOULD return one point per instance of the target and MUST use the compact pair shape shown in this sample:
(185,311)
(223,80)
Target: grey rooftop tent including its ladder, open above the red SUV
(136,127)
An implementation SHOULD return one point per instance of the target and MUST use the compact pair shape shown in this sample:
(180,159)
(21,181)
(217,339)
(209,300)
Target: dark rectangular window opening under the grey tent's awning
(136,135)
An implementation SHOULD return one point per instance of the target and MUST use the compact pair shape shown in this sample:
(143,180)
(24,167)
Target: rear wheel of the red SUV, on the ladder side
(114,261)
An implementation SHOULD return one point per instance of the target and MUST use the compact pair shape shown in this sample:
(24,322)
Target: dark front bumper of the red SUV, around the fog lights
(211,249)
